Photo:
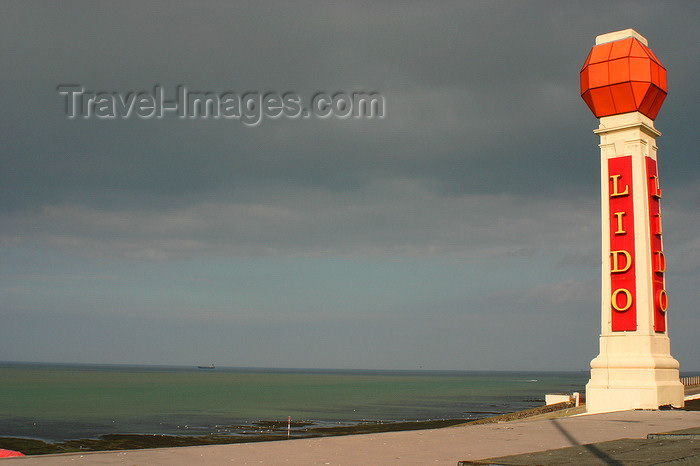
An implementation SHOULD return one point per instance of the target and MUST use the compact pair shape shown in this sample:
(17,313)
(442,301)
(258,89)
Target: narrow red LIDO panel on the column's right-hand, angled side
(657,260)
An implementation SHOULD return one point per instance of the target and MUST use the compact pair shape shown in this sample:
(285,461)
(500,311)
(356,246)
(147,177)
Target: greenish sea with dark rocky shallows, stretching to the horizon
(59,403)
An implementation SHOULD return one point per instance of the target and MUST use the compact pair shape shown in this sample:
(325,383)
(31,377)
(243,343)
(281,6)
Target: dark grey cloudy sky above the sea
(459,231)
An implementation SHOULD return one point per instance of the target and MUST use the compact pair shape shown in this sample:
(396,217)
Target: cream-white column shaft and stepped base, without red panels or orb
(635,369)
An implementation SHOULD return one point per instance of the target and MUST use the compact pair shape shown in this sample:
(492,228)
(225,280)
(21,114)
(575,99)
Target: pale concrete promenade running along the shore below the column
(447,446)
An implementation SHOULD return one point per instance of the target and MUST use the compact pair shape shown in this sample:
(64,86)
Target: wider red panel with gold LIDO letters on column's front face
(622,271)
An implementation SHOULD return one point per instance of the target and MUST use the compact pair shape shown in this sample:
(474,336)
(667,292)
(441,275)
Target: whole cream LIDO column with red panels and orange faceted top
(624,84)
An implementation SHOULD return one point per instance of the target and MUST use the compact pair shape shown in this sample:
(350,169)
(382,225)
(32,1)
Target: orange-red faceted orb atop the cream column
(623,76)
